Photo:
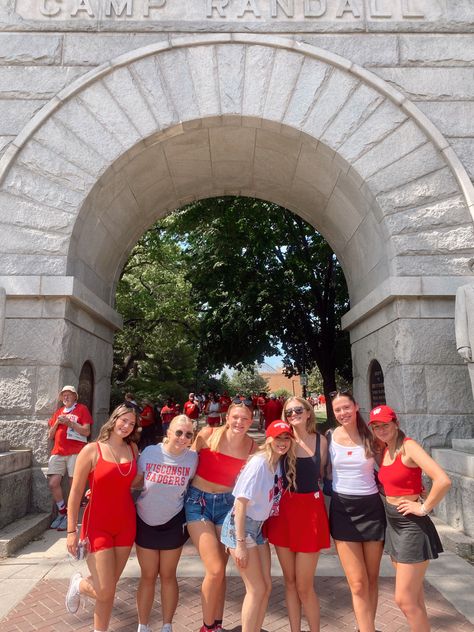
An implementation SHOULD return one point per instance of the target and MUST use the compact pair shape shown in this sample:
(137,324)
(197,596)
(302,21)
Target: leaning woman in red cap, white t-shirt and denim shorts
(257,493)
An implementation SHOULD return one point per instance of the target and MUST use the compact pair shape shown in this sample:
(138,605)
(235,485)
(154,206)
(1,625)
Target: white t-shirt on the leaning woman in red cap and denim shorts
(256,483)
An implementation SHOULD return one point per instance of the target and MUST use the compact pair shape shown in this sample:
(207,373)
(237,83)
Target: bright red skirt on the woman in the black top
(301,525)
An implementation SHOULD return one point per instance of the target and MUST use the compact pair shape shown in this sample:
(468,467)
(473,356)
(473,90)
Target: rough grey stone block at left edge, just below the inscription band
(30,48)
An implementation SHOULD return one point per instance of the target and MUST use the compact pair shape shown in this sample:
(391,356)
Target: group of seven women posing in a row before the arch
(235,498)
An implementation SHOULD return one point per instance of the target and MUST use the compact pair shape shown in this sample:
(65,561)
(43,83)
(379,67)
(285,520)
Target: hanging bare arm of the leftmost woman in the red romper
(84,465)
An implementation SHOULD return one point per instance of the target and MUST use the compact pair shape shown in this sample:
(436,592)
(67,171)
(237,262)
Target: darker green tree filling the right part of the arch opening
(263,277)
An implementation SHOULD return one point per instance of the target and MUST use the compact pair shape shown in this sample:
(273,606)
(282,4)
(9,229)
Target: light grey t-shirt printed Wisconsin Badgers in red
(166,479)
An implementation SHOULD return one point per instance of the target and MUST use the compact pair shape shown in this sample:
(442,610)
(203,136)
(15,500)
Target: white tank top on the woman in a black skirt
(352,472)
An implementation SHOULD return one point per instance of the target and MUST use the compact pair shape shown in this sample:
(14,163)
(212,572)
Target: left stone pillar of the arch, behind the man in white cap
(47,339)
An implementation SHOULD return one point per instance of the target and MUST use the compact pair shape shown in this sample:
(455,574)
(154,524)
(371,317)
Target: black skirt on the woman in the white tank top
(357,518)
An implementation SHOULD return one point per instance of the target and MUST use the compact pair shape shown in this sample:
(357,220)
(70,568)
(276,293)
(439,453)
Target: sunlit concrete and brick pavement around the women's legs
(34,582)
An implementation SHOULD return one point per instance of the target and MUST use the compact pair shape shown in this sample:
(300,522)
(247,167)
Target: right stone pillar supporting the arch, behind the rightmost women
(425,380)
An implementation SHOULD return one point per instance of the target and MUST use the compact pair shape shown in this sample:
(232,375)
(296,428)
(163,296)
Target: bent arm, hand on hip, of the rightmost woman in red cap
(439,488)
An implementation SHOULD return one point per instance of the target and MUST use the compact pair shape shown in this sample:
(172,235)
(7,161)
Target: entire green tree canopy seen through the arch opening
(225,282)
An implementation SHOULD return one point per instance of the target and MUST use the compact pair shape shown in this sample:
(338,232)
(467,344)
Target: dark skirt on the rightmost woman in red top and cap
(410,539)
